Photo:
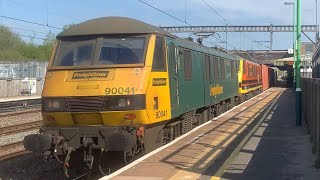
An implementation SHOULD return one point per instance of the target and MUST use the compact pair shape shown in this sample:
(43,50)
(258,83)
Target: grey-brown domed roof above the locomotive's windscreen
(112,25)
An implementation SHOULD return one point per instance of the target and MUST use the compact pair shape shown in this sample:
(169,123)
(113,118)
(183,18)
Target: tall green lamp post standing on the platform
(298,93)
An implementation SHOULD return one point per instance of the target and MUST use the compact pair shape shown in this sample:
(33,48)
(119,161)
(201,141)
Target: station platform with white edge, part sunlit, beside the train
(255,140)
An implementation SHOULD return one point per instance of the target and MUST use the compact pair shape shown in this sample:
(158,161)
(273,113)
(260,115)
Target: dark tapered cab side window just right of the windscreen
(159,62)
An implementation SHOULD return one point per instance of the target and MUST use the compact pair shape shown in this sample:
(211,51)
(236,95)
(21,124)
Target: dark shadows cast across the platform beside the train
(277,150)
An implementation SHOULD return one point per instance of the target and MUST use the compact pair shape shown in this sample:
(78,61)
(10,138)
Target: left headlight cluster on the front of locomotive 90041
(53,104)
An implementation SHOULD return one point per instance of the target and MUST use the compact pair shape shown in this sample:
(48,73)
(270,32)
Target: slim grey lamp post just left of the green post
(294,38)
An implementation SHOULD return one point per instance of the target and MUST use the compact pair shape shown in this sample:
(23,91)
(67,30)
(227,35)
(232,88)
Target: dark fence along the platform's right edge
(311,112)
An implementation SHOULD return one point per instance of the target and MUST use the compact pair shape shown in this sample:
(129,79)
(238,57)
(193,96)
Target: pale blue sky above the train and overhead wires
(58,13)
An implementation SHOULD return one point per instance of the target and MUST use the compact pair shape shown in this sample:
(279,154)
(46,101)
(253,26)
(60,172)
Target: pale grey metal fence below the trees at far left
(35,69)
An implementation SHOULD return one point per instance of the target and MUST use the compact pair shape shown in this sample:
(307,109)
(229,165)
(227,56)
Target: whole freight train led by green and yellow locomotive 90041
(119,84)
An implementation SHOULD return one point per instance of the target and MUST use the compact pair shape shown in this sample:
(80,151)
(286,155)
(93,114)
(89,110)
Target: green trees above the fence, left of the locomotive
(12,47)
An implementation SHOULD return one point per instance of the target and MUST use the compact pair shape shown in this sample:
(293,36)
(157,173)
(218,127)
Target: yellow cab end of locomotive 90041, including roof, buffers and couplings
(98,92)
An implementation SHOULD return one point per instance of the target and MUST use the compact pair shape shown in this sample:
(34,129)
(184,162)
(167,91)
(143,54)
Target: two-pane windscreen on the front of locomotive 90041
(111,51)
